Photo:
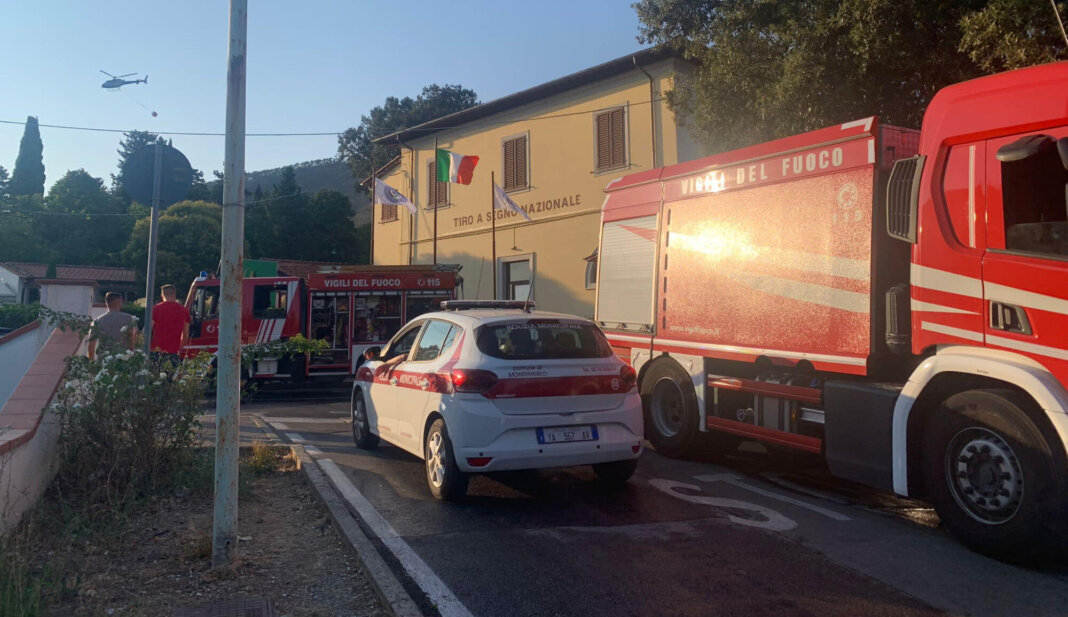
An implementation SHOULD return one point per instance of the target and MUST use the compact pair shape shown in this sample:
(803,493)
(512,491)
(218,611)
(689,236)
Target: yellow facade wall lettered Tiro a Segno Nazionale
(566,193)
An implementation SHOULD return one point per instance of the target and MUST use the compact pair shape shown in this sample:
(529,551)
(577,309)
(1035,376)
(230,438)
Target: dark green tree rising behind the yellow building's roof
(355,146)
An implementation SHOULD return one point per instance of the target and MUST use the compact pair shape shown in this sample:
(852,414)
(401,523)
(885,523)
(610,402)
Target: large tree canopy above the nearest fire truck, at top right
(765,70)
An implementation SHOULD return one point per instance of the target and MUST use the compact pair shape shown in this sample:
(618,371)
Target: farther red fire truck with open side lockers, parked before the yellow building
(352,308)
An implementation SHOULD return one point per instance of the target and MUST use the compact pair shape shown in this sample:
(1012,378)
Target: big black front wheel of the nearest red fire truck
(996,482)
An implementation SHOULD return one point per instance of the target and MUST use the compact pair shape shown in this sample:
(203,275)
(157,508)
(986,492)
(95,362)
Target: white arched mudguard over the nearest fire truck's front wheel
(1013,369)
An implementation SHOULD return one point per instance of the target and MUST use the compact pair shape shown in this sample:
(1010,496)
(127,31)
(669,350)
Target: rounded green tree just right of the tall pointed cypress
(83,222)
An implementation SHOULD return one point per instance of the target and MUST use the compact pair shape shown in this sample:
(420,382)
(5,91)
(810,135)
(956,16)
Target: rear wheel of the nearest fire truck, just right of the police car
(671,409)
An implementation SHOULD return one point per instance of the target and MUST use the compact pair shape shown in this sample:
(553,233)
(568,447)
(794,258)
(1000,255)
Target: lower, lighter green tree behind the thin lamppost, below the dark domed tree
(190,242)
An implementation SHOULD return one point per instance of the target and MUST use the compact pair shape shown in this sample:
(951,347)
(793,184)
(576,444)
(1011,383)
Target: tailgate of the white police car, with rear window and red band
(551,367)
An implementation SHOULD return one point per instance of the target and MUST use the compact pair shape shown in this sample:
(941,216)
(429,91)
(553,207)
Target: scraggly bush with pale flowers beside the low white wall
(129,426)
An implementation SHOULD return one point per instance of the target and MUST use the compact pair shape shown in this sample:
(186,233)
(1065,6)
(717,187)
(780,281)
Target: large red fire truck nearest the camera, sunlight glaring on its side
(897,302)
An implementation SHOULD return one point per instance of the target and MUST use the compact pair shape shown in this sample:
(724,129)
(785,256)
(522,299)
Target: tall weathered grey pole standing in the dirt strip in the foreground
(229,395)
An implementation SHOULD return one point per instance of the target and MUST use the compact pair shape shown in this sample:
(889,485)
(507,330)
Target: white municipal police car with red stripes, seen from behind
(486,386)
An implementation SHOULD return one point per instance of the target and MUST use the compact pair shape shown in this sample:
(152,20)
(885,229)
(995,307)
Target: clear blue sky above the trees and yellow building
(313,67)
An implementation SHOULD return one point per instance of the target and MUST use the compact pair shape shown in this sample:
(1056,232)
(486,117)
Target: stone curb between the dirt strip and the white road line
(385,582)
